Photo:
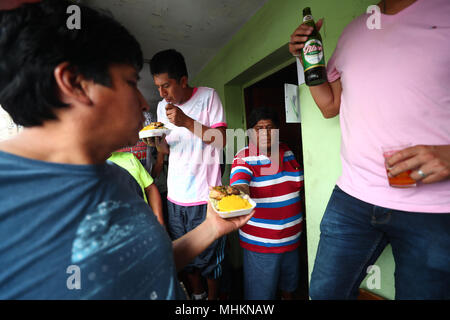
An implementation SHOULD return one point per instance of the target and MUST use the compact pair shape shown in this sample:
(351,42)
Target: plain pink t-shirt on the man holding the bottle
(396,90)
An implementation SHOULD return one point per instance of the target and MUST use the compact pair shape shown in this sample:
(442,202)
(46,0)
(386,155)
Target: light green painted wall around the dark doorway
(259,49)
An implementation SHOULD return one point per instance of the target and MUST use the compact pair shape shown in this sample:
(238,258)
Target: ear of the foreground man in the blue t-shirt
(72,86)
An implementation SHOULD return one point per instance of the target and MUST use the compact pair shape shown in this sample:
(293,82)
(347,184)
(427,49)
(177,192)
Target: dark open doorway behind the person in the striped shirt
(269,92)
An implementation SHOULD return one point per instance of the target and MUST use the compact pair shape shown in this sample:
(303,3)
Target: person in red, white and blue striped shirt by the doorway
(269,173)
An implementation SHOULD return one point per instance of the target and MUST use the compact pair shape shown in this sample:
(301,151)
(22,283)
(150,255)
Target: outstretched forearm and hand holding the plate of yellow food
(186,248)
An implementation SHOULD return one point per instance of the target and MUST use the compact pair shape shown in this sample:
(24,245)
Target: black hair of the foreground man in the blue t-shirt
(35,38)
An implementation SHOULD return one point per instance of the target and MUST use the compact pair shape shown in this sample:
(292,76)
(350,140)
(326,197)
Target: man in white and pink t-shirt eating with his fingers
(196,119)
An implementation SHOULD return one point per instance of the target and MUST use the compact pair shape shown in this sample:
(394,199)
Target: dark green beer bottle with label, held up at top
(312,54)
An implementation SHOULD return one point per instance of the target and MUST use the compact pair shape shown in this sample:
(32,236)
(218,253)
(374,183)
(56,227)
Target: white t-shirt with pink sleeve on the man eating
(193,165)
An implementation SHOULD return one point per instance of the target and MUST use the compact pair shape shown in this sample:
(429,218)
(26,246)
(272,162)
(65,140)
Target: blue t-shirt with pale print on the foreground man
(79,232)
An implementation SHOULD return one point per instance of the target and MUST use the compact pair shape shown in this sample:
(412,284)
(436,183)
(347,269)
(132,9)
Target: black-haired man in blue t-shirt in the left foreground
(73,226)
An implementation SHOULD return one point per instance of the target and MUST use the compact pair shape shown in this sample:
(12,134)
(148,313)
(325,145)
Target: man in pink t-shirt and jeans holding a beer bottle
(390,86)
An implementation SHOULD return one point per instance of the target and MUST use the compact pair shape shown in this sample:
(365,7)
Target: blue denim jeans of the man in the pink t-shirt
(353,235)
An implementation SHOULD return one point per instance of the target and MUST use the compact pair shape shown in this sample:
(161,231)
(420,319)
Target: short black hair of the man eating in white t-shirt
(169,61)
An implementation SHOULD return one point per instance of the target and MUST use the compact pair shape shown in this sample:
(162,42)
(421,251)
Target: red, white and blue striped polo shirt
(277,223)
